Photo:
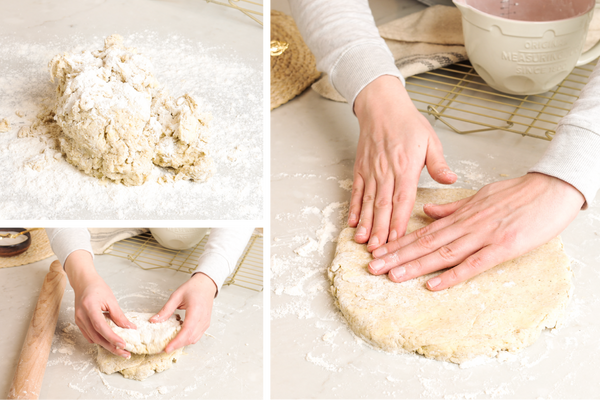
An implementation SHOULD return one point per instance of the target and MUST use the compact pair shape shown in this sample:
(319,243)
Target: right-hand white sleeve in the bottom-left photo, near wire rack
(222,251)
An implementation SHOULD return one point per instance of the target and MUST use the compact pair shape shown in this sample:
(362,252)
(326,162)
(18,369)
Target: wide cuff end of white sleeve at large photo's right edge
(572,156)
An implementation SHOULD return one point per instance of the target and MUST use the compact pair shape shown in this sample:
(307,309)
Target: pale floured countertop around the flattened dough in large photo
(311,352)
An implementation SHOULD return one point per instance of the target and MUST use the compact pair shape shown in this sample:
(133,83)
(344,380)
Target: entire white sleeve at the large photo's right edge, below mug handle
(574,153)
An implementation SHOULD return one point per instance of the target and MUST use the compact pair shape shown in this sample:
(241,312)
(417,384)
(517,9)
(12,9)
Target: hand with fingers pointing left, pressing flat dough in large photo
(500,222)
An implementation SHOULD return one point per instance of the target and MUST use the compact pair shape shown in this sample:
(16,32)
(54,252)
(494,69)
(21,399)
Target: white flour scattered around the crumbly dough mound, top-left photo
(49,189)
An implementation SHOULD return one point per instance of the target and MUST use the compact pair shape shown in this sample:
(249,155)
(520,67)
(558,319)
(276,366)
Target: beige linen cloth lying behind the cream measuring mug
(428,40)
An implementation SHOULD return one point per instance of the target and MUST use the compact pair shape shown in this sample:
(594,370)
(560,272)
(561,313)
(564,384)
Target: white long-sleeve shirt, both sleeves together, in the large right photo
(346,43)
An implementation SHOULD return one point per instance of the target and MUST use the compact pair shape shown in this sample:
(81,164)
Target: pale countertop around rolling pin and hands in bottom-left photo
(228,362)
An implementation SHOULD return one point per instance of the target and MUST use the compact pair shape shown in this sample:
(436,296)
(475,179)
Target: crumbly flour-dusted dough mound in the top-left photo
(116,122)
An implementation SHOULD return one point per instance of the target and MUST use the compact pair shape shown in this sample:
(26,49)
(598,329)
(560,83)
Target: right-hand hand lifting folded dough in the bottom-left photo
(196,297)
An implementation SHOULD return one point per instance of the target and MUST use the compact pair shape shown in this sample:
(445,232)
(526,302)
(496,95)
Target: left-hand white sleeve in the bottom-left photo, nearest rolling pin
(65,239)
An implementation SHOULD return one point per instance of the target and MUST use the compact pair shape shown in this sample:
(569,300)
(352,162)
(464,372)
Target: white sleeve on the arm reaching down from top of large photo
(346,43)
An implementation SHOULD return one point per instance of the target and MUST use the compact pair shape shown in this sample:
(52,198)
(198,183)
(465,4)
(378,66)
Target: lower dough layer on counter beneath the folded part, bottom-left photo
(139,366)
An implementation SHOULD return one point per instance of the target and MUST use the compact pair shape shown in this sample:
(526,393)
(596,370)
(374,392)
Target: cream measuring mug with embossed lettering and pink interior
(526,46)
